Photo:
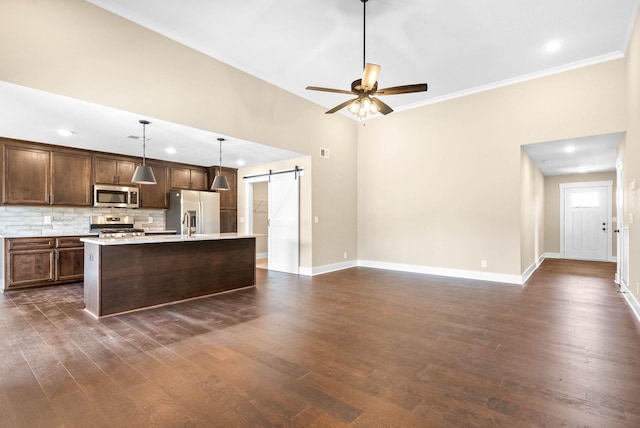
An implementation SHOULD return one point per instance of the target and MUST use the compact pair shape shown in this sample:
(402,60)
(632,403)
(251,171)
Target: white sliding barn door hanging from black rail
(284,222)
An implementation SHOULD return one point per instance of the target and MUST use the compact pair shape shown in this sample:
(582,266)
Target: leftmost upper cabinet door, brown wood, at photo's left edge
(26,176)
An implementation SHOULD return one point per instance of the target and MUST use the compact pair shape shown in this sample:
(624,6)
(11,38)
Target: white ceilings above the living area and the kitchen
(456,46)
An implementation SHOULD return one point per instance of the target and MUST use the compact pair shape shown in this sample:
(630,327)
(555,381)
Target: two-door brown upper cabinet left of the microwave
(36,176)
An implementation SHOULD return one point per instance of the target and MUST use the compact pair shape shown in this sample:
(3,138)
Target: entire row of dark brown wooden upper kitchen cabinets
(43,174)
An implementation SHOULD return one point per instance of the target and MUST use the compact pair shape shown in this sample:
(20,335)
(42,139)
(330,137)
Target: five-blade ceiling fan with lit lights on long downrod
(364,89)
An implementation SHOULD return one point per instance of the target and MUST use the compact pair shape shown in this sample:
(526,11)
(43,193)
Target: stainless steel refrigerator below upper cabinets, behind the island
(203,210)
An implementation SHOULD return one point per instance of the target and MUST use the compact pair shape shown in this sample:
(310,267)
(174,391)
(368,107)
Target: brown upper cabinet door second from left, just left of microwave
(70,179)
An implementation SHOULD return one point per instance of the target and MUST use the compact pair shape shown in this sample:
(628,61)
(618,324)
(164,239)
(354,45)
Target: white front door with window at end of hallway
(587,221)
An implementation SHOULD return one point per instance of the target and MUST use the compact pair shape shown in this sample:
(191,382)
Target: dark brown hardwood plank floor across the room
(360,347)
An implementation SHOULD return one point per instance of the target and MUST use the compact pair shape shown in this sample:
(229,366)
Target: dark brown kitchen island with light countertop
(127,274)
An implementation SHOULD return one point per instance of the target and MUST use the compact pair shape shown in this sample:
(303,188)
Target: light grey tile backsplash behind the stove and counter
(34,221)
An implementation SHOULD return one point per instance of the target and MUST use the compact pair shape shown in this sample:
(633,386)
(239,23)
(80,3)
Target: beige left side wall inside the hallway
(532,215)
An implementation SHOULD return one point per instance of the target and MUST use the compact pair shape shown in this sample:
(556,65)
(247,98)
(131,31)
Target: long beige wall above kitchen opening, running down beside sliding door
(73,48)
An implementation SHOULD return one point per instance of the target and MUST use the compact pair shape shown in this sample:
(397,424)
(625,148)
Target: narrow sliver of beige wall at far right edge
(631,166)
